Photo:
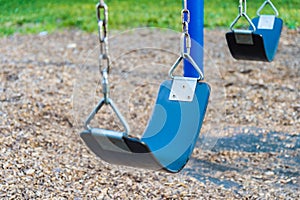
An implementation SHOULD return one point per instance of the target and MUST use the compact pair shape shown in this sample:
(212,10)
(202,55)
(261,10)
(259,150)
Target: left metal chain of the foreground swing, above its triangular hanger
(104,59)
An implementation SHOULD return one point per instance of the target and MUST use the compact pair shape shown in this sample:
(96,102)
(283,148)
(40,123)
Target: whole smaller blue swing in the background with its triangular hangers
(260,42)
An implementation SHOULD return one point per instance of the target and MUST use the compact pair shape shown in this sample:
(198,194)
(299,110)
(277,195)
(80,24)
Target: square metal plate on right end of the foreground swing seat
(183,89)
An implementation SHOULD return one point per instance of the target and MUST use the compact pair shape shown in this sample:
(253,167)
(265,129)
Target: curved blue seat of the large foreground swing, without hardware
(168,140)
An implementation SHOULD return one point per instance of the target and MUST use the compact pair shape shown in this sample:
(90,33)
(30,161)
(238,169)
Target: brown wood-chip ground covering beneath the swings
(249,145)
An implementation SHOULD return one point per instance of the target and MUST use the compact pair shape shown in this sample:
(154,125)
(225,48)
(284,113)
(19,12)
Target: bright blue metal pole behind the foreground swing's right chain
(196,27)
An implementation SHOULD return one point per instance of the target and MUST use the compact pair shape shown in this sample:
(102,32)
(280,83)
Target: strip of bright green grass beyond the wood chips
(34,16)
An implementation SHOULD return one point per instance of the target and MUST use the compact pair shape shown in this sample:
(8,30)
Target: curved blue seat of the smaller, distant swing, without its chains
(260,45)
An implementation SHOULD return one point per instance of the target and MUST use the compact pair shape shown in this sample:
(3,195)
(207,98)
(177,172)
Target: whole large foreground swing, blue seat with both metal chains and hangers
(175,124)
